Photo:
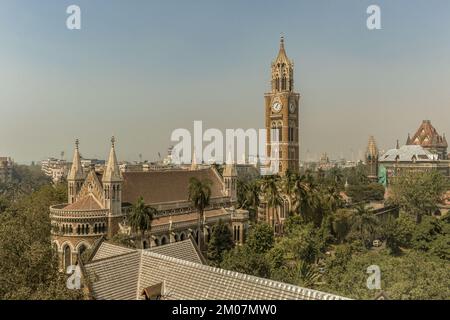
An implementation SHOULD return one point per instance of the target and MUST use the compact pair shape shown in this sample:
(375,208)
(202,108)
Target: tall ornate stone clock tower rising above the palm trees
(282,105)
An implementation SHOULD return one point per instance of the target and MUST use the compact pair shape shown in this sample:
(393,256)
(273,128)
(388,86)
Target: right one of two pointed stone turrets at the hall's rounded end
(112,186)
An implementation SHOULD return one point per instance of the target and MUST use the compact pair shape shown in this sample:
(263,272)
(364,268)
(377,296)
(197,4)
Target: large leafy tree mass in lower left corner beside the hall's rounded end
(28,264)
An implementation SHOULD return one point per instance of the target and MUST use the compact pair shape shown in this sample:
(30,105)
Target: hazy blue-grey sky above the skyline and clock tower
(139,69)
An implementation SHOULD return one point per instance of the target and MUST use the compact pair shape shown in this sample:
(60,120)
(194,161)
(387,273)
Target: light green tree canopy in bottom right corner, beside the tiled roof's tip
(409,276)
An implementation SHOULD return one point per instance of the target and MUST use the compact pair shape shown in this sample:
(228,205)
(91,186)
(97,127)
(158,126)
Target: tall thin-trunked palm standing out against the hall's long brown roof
(199,195)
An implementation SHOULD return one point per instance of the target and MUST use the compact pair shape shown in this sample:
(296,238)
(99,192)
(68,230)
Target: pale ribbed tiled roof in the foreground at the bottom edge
(125,276)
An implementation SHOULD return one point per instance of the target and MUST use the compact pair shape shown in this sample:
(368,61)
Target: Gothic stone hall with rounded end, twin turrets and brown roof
(99,203)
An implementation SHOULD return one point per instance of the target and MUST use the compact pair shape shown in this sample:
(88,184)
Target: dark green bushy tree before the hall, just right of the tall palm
(221,240)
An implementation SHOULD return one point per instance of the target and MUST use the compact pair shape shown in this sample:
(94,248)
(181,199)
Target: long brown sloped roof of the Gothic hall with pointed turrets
(165,186)
